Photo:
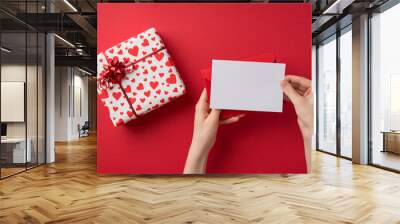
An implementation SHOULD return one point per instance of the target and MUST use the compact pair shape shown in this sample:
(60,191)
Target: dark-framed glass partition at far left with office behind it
(22,76)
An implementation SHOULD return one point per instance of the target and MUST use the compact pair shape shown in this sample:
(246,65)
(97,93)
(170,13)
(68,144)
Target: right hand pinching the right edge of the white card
(298,90)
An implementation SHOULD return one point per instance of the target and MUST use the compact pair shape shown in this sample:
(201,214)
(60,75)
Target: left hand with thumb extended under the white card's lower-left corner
(204,135)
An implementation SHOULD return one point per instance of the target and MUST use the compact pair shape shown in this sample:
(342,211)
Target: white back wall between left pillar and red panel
(70,81)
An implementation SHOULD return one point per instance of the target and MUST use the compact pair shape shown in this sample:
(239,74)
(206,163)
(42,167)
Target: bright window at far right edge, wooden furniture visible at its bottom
(385,89)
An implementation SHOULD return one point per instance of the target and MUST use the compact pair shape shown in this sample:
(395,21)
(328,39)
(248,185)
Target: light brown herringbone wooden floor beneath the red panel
(70,191)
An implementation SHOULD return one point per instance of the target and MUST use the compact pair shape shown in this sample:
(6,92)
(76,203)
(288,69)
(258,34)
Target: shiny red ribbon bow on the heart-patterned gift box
(113,73)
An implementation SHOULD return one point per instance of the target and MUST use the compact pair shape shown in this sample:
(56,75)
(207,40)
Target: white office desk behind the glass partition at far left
(13,150)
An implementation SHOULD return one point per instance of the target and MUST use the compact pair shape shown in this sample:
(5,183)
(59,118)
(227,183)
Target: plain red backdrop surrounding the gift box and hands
(195,34)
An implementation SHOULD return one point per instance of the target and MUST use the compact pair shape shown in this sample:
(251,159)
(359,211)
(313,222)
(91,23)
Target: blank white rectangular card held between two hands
(241,85)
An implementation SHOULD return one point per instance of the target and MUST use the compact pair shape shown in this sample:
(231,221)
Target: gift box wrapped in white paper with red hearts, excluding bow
(151,80)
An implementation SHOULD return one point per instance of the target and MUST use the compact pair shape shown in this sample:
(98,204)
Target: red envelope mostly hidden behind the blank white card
(206,73)
